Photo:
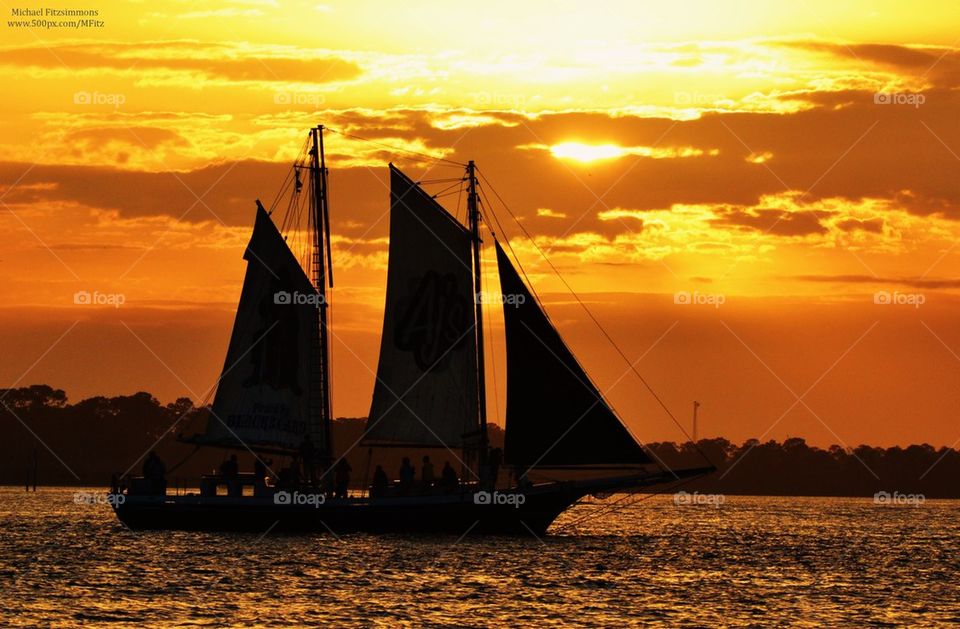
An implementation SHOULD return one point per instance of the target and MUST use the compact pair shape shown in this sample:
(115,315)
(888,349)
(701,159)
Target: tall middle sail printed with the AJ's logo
(426,388)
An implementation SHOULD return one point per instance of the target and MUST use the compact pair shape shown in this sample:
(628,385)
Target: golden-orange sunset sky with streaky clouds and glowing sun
(789,161)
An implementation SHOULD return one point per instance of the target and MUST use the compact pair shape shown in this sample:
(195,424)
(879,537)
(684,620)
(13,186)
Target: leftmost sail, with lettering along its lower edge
(263,394)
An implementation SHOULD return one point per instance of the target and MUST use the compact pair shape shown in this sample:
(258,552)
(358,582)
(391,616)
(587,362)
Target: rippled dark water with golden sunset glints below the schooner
(750,561)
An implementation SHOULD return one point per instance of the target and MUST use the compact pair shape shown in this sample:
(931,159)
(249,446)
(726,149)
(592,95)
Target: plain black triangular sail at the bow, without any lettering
(555,414)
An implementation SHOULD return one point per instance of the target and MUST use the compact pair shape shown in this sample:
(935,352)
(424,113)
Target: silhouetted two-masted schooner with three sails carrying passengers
(562,439)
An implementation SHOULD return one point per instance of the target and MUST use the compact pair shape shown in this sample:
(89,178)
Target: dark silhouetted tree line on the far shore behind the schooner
(84,443)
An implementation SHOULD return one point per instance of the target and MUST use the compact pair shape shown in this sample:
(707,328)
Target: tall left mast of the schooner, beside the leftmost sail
(322,274)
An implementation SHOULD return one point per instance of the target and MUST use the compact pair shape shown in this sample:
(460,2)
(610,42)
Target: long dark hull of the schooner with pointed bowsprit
(511,512)
